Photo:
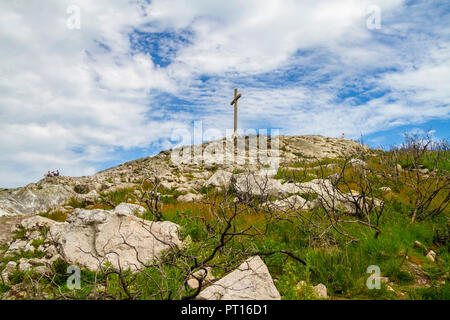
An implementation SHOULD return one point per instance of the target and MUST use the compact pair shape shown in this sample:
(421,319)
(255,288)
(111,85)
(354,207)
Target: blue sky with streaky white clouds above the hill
(87,85)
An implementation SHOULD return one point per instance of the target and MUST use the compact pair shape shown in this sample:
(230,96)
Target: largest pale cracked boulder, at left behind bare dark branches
(91,238)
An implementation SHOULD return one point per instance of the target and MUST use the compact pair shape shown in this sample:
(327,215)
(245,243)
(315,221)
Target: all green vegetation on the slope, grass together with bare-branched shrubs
(336,246)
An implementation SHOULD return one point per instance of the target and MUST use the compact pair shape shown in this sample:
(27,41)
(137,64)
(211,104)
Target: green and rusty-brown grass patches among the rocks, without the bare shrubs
(331,260)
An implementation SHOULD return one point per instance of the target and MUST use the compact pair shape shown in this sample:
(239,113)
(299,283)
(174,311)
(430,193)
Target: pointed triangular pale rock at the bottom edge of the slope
(250,281)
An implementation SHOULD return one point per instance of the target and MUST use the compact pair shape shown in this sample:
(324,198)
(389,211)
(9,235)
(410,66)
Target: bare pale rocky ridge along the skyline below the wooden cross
(186,177)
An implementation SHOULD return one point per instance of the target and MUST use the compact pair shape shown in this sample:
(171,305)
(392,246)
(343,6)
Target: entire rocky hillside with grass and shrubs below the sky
(305,223)
